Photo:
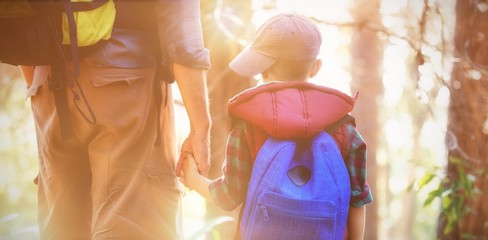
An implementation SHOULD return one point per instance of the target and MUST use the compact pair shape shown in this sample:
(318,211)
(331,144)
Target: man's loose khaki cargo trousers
(109,181)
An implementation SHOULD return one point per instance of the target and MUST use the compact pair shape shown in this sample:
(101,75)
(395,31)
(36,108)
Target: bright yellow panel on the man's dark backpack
(91,25)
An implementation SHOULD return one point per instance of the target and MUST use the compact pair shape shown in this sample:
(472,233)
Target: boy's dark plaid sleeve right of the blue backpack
(355,159)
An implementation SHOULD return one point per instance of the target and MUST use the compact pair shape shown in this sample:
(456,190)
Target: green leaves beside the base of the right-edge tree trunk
(453,192)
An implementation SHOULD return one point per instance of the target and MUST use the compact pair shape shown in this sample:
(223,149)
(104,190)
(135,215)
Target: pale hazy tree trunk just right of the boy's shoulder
(366,65)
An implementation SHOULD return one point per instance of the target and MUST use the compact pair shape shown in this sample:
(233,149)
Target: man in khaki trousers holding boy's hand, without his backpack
(114,177)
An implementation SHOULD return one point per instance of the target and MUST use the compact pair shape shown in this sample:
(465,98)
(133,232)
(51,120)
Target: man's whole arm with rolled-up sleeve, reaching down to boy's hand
(181,43)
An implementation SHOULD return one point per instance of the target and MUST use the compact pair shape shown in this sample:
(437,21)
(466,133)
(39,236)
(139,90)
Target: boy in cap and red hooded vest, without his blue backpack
(284,51)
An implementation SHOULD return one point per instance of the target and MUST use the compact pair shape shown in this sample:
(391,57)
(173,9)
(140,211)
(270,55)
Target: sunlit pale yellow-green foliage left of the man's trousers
(18,162)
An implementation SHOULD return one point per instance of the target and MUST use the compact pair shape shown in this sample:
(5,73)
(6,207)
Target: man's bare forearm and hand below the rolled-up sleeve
(192,85)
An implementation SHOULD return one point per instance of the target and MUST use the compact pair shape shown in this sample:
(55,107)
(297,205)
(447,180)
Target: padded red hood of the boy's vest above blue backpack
(290,110)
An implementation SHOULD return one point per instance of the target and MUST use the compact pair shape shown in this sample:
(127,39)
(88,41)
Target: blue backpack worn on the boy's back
(299,189)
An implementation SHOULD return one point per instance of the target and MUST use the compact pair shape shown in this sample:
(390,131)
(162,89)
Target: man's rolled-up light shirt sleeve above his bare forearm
(180,33)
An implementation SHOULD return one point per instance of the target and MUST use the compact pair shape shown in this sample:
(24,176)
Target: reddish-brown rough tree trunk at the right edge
(467,130)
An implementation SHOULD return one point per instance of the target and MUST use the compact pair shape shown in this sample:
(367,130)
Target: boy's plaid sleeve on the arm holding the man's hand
(230,190)
